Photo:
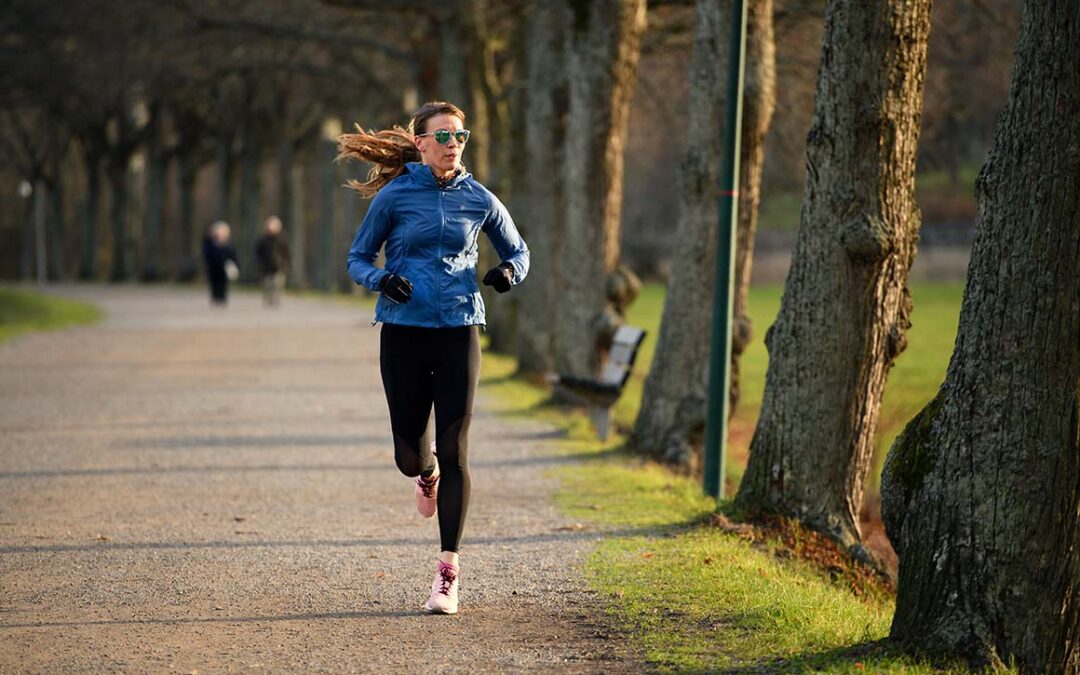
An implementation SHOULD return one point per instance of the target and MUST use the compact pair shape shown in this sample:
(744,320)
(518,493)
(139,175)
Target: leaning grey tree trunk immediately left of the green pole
(672,420)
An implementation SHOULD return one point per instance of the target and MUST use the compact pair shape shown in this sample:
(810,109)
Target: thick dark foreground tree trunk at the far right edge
(982,491)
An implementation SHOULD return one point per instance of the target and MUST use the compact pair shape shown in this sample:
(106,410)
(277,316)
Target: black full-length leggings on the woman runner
(422,367)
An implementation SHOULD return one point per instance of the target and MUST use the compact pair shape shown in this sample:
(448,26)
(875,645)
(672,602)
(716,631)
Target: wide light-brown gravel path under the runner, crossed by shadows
(185,490)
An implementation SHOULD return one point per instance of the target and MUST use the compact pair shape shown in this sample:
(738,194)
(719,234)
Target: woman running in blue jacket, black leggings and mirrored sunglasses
(429,212)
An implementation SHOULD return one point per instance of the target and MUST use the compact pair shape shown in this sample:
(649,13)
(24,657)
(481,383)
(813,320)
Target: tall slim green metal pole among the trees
(720,371)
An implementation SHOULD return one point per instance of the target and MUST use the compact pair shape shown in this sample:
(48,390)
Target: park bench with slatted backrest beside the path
(599,395)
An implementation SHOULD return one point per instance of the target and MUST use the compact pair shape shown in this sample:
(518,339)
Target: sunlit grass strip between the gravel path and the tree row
(692,596)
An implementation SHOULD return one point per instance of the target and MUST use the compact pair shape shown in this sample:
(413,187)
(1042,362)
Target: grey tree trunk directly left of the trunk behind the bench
(542,193)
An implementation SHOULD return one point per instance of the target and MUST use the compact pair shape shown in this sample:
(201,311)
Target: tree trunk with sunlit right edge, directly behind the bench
(603,47)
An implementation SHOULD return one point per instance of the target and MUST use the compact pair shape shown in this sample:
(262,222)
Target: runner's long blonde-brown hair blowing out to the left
(390,150)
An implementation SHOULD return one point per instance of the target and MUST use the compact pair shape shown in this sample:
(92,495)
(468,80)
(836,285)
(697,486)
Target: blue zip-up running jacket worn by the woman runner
(431,236)
